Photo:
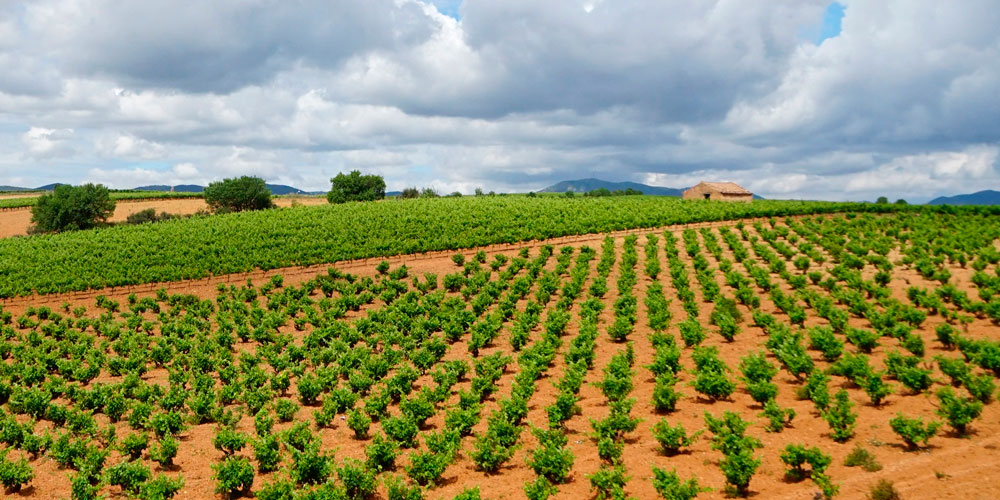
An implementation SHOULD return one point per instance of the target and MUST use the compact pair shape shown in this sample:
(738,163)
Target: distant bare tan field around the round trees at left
(17,222)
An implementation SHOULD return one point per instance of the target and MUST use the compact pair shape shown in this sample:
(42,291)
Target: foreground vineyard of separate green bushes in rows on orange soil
(424,377)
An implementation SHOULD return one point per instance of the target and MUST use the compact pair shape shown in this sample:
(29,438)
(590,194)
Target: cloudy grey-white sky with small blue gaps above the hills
(790,98)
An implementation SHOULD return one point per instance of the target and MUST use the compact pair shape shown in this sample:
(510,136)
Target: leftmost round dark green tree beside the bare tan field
(70,208)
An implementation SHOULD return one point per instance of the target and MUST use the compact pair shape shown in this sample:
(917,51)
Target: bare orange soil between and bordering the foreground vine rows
(952,467)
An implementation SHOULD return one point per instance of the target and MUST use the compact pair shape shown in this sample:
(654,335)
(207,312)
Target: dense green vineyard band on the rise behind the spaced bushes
(219,245)
